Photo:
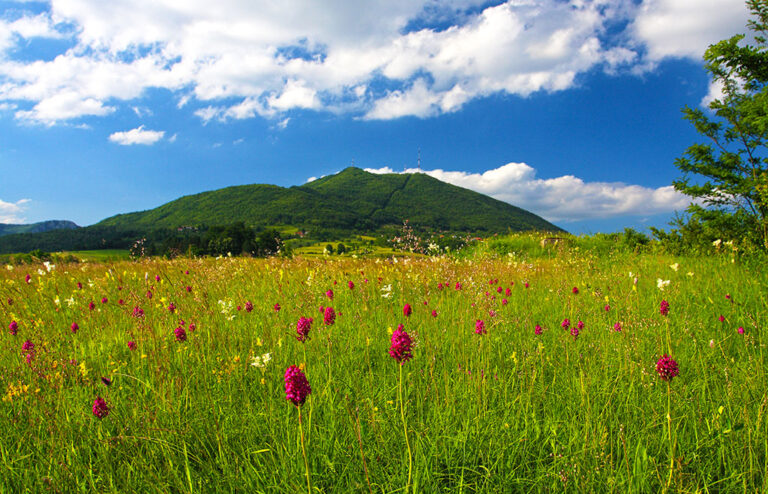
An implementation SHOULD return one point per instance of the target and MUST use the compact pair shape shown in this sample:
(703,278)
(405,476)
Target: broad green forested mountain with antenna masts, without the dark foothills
(352,200)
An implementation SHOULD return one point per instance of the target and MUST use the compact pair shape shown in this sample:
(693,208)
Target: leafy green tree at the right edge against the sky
(732,199)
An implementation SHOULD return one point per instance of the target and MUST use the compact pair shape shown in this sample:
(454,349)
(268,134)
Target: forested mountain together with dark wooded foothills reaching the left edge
(351,202)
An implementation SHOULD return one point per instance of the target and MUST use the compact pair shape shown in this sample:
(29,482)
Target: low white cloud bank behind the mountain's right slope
(561,199)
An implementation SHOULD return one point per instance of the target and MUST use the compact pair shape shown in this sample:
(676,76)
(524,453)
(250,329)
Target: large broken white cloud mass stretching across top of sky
(376,60)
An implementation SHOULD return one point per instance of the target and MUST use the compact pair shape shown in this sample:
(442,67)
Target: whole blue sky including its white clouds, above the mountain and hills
(568,108)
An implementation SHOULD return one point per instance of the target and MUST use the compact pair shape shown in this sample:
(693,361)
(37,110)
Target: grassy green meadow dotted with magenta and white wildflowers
(581,409)
